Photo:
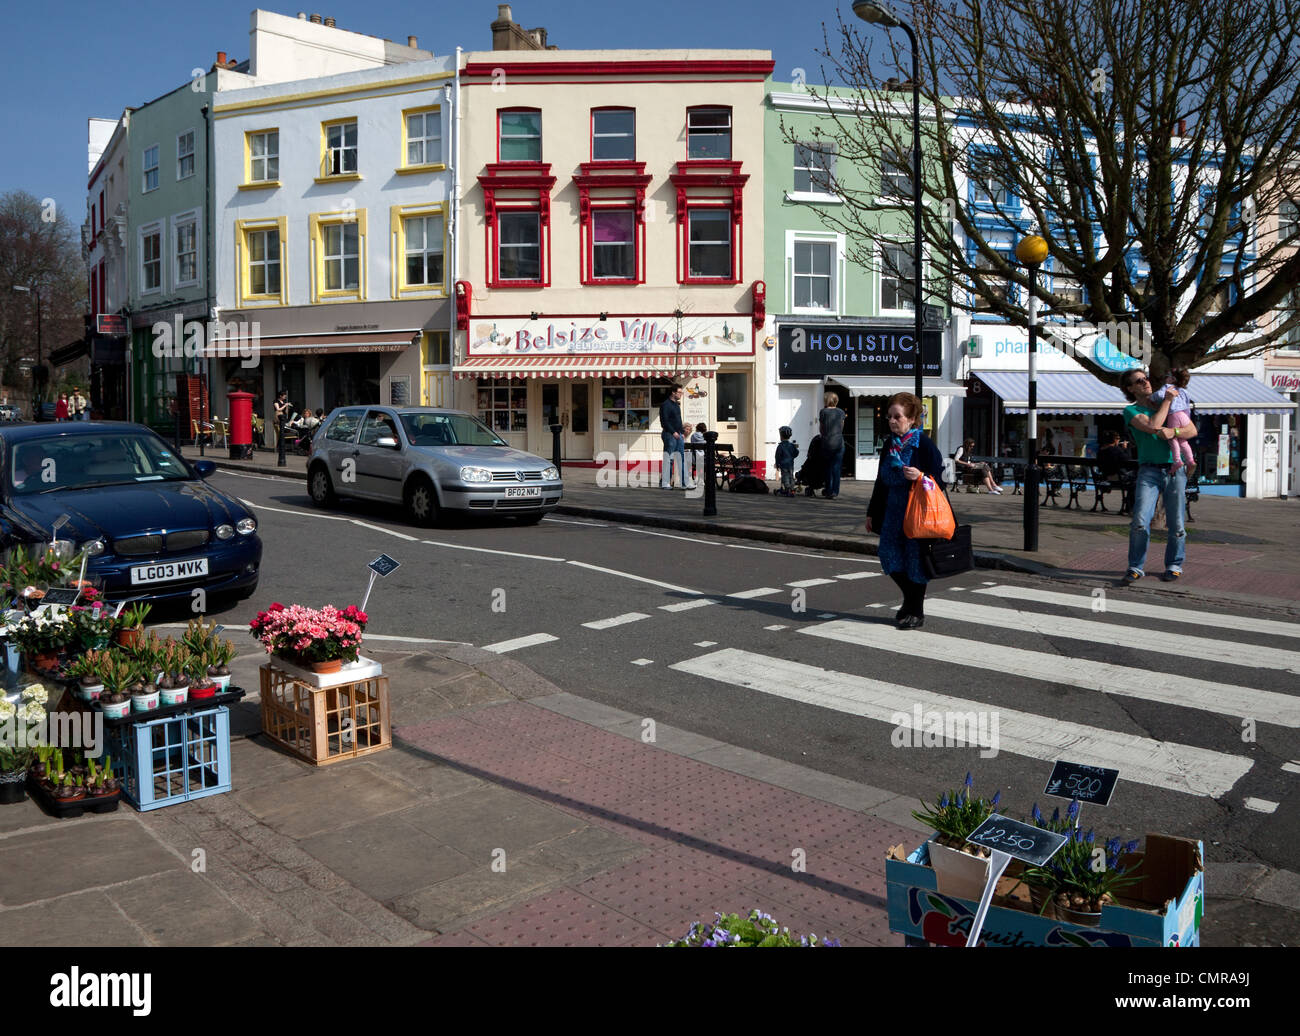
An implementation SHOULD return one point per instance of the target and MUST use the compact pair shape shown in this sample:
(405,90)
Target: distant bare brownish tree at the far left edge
(37,250)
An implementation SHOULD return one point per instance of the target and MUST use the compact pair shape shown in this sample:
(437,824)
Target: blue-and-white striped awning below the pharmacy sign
(1067,392)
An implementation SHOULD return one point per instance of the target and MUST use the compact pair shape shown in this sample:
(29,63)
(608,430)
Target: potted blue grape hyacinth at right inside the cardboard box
(1072,885)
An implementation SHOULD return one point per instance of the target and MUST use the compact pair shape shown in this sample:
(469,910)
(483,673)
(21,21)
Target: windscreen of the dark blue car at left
(86,462)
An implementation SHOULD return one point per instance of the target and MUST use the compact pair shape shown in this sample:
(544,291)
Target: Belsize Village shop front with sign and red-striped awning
(603,382)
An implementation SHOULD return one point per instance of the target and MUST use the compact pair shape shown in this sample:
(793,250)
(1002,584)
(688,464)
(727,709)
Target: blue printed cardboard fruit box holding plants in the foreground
(1162,911)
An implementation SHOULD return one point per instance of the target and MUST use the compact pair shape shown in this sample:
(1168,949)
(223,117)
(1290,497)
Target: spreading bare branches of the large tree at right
(1143,140)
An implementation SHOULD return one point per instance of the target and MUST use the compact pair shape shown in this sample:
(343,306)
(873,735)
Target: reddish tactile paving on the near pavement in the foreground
(718,842)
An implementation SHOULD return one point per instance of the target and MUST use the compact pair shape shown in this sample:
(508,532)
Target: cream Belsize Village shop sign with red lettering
(616,336)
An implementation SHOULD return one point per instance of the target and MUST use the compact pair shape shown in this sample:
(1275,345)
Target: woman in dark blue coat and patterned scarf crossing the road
(908,456)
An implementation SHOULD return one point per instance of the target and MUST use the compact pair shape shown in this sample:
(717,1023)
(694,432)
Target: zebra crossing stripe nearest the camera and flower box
(1159,764)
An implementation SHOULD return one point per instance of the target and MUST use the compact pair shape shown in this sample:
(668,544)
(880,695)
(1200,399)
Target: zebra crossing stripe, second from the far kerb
(1159,641)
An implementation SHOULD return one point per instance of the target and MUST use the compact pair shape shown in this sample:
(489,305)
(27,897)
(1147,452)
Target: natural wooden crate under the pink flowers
(326,719)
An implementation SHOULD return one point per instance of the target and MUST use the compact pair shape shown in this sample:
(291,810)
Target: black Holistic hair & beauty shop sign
(817,352)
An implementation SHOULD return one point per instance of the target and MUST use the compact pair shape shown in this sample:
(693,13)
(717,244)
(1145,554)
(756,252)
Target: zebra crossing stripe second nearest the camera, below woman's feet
(1266,706)
